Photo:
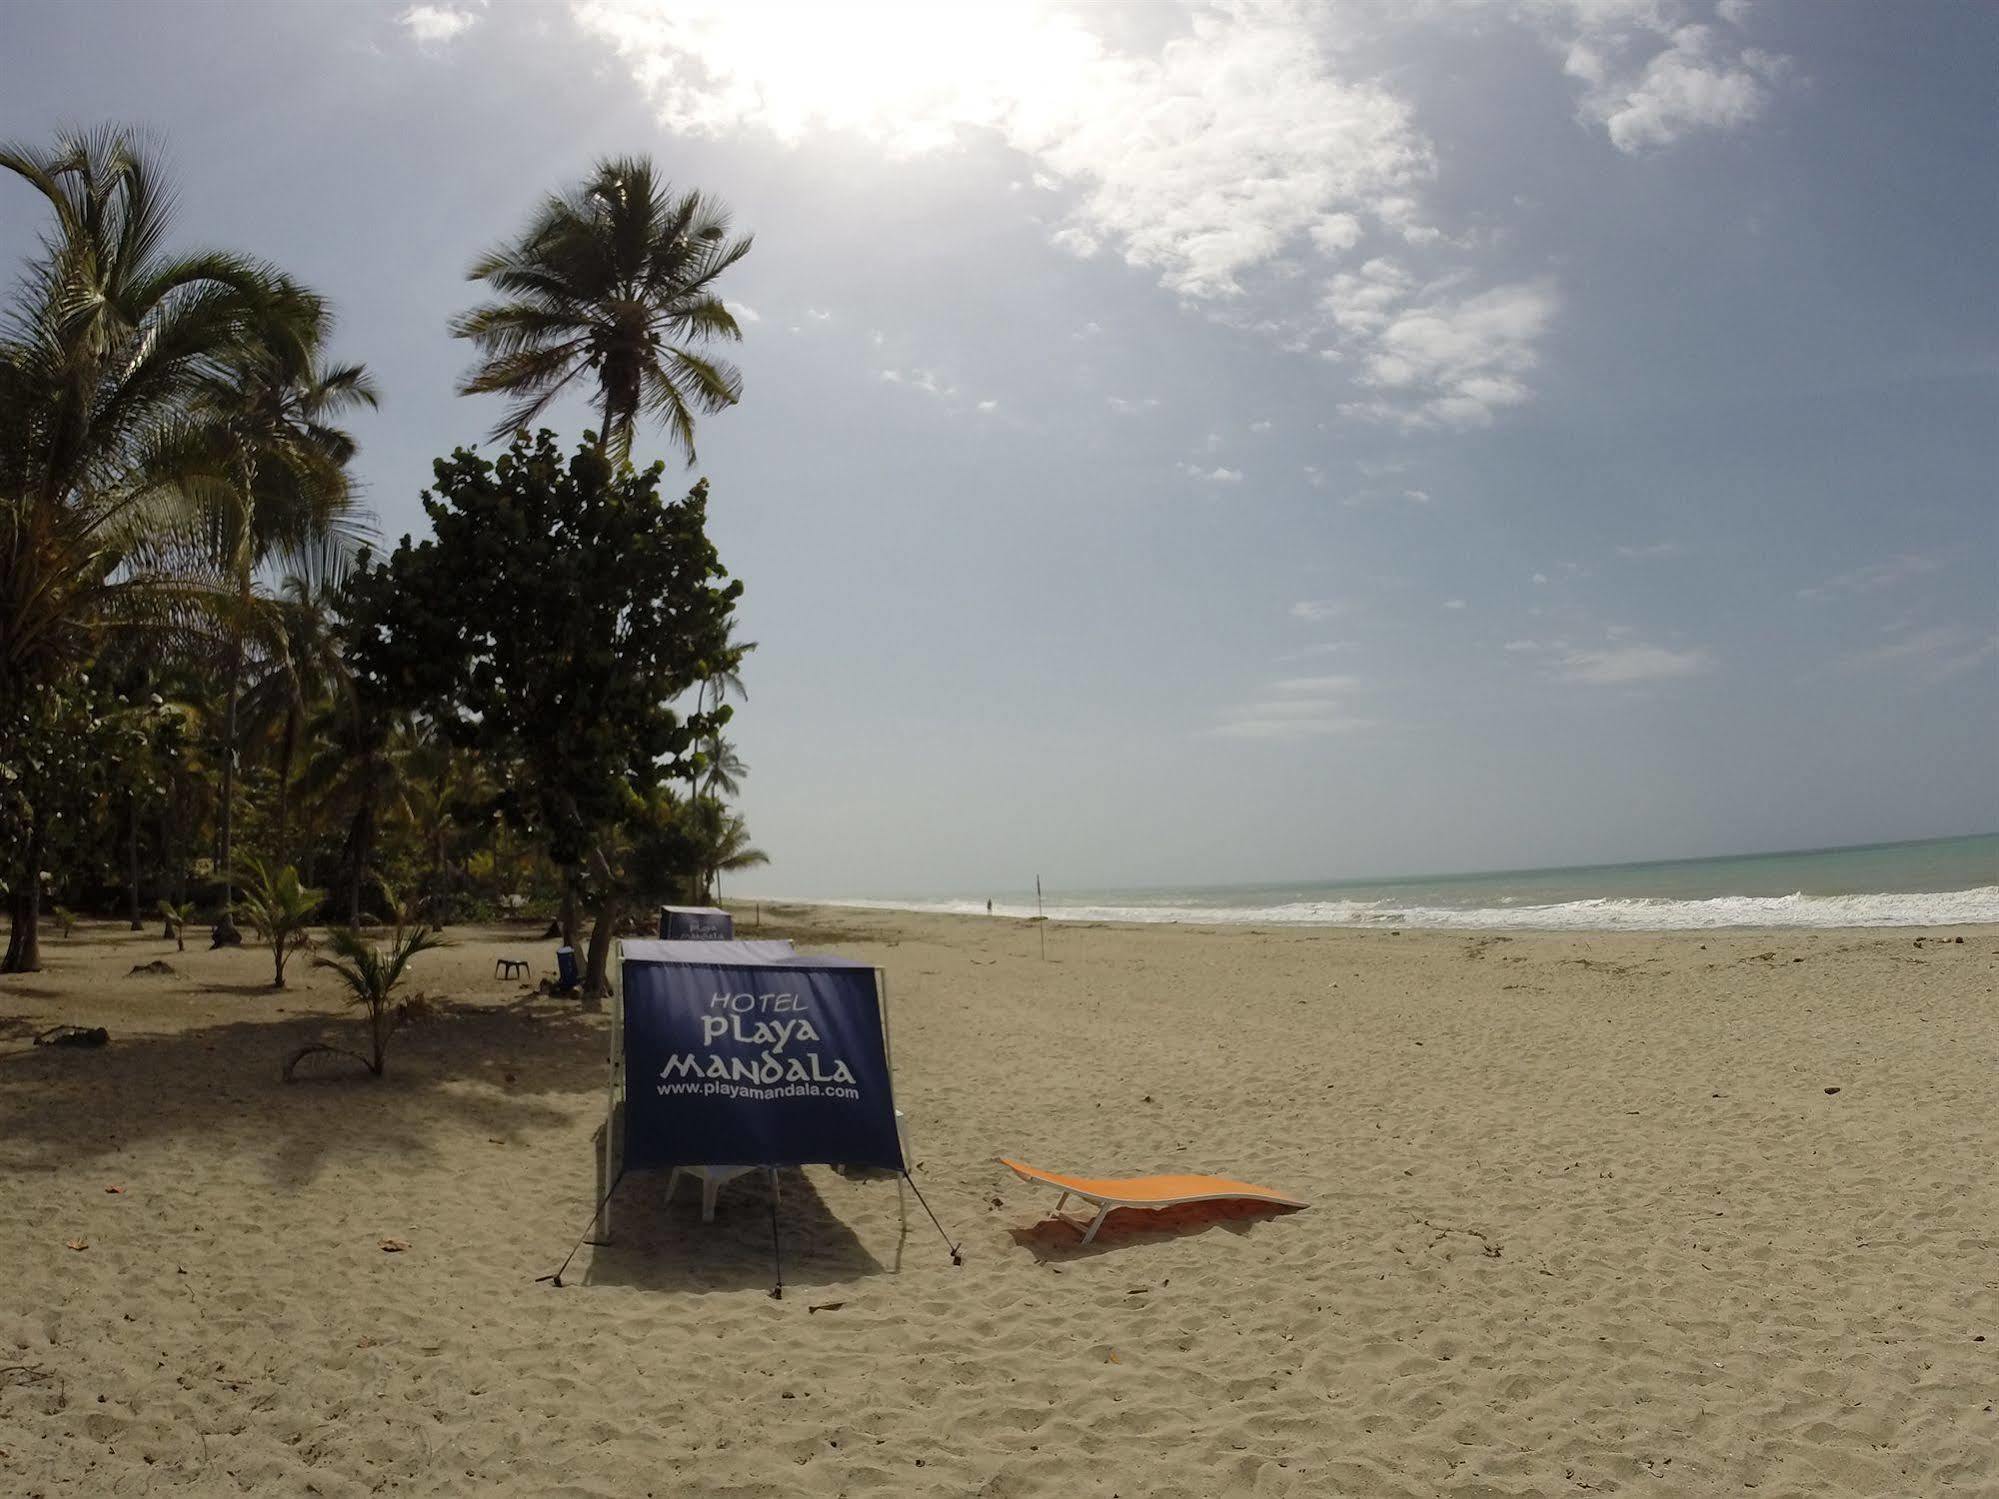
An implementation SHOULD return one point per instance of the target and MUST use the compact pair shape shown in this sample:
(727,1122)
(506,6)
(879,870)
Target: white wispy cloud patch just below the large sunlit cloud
(1432,359)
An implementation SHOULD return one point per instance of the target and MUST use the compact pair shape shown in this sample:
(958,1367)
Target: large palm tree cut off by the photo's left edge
(99,361)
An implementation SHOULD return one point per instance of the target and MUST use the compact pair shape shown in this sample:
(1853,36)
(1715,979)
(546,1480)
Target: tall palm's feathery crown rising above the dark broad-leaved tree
(611,283)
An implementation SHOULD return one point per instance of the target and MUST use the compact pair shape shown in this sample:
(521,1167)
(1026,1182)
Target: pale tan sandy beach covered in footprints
(1590,1214)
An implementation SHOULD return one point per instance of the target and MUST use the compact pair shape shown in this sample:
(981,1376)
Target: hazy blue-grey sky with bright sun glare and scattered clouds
(1220,443)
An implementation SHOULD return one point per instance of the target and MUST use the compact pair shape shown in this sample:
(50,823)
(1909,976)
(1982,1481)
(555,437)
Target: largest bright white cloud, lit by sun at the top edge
(1198,159)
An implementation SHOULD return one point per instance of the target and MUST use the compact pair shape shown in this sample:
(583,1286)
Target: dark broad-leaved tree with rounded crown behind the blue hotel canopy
(553,621)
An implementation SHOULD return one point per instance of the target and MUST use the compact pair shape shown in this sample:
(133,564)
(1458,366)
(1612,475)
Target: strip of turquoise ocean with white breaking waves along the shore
(1932,882)
